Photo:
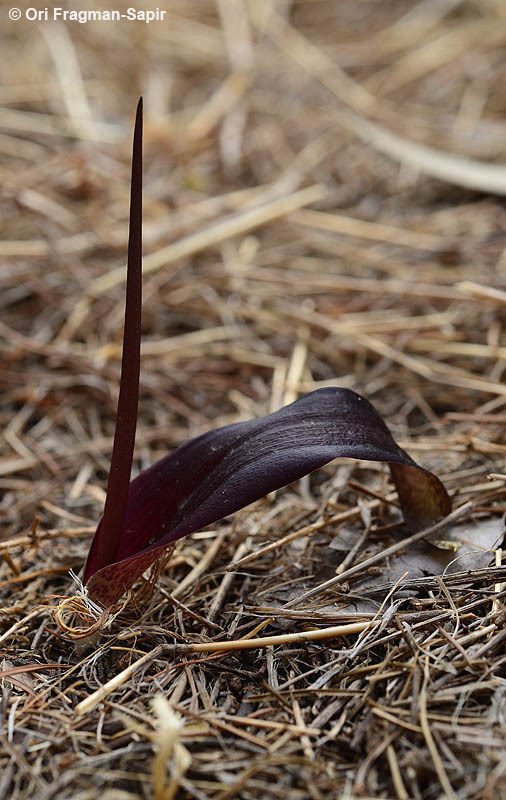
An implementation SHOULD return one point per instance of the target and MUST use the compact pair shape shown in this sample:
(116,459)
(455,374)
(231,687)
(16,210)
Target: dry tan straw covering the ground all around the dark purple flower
(322,206)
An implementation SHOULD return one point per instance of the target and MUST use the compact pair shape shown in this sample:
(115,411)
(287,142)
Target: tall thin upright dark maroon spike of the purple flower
(126,419)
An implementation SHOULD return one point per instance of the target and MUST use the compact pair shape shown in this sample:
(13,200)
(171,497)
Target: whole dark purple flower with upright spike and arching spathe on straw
(225,469)
